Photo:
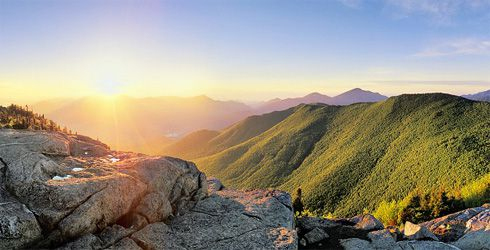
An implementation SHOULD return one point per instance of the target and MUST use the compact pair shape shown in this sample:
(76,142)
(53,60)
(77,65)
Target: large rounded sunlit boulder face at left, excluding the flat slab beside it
(57,188)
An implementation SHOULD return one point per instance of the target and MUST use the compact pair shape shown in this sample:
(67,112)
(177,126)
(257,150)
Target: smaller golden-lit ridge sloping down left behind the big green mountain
(204,142)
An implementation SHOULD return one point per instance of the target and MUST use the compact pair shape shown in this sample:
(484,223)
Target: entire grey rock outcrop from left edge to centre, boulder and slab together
(72,192)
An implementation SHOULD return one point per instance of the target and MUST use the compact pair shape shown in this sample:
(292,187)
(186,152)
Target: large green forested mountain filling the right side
(348,158)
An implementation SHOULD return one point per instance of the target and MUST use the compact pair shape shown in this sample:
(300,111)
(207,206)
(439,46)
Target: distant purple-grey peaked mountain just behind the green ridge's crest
(352,96)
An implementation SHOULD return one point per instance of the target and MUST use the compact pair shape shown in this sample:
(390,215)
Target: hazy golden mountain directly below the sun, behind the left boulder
(145,124)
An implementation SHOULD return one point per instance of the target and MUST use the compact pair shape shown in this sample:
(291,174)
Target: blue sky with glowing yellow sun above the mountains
(245,50)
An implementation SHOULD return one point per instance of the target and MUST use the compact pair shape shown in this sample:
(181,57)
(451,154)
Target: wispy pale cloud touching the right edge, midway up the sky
(467,46)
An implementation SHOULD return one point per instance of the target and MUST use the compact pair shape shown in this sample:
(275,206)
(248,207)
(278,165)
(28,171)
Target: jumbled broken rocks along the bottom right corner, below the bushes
(467,229)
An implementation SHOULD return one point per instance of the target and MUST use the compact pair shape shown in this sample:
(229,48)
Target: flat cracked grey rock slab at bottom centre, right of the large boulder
(227,219)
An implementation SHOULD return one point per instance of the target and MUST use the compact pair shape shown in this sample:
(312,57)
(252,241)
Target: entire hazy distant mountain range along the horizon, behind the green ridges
(153,125)
